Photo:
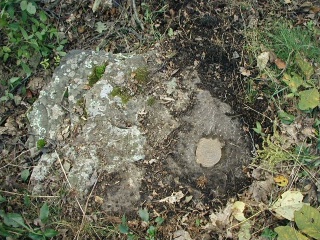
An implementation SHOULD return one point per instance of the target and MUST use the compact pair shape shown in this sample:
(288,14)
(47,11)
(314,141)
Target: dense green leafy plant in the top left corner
(27,34)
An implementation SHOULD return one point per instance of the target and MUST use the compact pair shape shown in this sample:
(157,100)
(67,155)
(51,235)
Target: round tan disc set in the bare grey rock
(208,152)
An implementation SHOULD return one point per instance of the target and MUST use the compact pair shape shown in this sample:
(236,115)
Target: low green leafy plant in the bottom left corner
(14,226)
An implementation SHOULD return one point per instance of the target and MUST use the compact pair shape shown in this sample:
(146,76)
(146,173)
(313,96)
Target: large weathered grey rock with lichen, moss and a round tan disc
(99,136)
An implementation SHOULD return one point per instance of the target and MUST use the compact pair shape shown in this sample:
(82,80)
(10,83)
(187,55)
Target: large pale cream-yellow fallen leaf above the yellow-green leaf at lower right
(287,204)
